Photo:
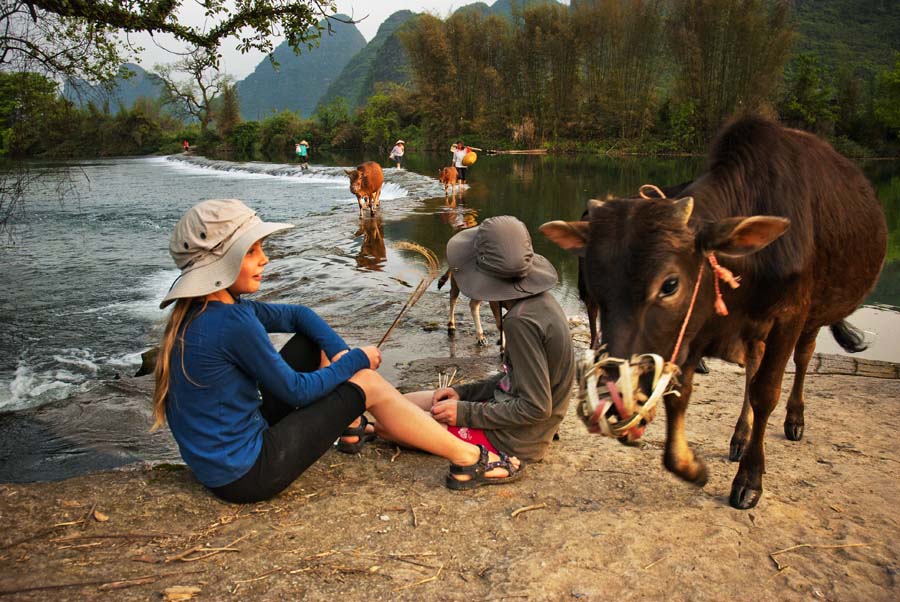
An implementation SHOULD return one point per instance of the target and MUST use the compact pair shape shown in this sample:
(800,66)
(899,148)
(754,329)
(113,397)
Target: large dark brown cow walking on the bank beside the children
(799,224)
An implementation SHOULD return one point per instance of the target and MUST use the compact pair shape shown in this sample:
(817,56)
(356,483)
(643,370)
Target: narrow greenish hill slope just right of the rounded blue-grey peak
(382,60)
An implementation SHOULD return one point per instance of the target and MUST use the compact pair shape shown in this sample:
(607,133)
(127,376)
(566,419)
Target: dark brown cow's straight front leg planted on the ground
(746,489)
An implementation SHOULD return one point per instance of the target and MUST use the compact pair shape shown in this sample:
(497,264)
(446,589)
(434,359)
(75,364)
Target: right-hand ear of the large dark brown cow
(739,236)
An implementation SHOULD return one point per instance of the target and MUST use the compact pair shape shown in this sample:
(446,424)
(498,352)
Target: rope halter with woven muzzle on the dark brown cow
(631,389)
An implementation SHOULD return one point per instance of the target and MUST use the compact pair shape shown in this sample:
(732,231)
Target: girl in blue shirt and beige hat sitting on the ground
(247,419)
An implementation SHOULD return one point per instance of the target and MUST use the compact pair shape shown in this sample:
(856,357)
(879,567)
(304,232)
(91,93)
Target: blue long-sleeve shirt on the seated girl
(213,403)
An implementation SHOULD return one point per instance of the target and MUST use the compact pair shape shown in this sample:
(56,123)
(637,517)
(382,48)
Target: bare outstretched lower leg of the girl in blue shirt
(403,421)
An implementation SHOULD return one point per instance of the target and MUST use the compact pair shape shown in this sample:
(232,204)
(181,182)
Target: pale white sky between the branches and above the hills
(369,13)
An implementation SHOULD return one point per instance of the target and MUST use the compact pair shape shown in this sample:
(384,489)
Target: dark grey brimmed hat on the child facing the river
(496,262)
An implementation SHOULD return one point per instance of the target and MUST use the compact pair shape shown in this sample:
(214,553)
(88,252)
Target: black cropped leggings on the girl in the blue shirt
(296,437)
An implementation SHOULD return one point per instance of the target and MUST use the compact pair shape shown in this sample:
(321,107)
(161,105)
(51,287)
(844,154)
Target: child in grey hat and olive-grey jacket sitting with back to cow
(520,409)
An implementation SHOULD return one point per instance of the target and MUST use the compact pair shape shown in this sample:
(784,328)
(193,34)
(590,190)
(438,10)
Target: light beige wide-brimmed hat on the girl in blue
(209,243)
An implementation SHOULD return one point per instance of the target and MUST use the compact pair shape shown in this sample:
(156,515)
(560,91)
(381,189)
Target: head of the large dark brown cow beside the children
(641,261)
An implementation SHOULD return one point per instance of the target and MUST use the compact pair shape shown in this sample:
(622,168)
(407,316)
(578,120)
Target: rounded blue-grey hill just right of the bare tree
(300,80)
